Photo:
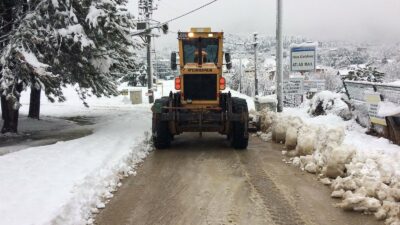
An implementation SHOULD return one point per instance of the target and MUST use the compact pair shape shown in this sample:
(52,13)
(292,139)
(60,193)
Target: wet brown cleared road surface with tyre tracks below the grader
(204,181)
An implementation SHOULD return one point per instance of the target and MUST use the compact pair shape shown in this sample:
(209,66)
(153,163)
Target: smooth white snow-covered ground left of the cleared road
(66,182)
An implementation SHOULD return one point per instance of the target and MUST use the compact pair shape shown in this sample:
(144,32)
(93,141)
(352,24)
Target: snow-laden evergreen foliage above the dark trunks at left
(86,43)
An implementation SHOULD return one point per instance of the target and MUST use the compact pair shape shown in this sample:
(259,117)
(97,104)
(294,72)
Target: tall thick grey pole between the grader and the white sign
(279,57)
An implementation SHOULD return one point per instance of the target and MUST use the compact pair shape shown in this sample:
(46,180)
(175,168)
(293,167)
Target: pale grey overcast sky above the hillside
(359,20)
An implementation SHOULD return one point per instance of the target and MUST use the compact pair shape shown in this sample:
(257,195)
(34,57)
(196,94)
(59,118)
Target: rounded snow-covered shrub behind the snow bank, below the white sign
(327,102)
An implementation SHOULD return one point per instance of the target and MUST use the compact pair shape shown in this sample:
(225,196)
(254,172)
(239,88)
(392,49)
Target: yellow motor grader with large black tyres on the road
(199,105)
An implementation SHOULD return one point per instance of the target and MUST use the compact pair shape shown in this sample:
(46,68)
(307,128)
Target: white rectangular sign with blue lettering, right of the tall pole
(302,59)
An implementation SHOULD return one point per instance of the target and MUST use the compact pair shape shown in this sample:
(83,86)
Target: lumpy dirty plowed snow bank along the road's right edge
(362,170)
